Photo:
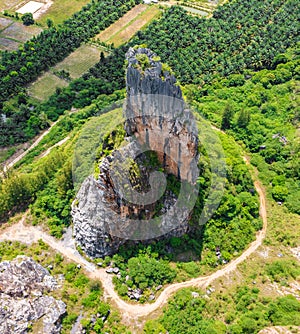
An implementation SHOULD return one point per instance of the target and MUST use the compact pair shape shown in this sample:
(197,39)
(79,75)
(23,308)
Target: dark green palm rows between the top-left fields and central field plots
(20,67)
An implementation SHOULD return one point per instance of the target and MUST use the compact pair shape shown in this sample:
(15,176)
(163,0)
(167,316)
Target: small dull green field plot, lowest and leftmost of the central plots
(45,86)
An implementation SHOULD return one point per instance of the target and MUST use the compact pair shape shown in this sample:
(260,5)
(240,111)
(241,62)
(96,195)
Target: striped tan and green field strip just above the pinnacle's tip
(122,30)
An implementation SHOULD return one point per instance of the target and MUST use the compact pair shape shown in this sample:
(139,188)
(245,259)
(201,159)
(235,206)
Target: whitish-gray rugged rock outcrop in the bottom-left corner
(22,284)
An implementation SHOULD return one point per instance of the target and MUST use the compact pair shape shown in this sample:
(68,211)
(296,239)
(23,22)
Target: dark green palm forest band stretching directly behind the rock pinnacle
(241,35)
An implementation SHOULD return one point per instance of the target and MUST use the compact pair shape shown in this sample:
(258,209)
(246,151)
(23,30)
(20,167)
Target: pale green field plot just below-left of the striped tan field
(79,61)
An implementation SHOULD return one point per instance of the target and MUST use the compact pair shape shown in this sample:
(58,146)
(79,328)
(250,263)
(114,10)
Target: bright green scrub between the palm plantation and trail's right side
(262,112)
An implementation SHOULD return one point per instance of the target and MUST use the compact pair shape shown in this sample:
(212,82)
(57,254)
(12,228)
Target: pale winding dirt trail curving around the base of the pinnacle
(130,312)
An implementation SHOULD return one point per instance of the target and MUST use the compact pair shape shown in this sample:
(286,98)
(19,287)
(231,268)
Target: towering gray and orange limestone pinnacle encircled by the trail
(121,204)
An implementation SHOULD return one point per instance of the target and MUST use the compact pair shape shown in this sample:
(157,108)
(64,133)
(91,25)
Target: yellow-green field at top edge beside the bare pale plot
(60,10)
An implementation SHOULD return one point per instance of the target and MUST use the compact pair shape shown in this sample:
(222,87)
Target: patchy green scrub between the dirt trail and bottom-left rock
(82,295)
